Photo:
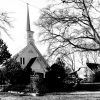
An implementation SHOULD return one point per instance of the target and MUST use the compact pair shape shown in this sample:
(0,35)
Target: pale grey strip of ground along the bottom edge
(61,96)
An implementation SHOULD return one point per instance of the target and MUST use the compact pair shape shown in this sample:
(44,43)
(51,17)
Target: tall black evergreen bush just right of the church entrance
(55,75)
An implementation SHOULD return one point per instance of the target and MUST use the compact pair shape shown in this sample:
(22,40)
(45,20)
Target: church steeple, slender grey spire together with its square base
(28,28)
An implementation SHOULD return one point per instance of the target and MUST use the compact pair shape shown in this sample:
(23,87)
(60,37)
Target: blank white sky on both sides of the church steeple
(17,11)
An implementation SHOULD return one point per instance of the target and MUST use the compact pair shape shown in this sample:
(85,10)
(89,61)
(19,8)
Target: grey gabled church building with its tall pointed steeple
(30,55)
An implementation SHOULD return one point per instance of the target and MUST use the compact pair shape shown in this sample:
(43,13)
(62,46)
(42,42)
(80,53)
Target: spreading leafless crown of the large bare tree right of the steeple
(71,25)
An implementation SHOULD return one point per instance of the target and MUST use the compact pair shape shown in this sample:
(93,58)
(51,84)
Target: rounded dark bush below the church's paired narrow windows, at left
(12,71)
